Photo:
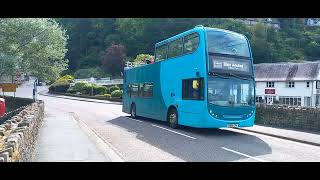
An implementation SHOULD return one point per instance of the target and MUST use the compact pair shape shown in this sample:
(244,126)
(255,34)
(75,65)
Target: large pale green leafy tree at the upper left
(39,45)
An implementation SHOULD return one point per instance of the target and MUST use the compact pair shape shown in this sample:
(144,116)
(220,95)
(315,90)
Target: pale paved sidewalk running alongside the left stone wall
(62,139)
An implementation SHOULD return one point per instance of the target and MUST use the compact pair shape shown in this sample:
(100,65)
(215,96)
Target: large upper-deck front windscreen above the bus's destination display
(227,43)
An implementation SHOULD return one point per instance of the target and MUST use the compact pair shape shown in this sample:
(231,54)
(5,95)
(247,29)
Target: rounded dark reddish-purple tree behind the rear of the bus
(113,59)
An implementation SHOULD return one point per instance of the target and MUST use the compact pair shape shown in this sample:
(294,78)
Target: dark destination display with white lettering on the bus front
(229,63)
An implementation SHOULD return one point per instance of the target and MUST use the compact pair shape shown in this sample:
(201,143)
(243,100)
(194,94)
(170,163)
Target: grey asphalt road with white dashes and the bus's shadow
(150,140)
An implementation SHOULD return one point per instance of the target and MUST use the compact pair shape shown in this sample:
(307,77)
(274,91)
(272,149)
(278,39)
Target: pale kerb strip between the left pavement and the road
(105,147)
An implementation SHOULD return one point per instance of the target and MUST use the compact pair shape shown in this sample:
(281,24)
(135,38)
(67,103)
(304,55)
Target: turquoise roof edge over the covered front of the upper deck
(197,28)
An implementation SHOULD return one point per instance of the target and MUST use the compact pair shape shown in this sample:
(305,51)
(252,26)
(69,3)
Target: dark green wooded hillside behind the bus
(90,37)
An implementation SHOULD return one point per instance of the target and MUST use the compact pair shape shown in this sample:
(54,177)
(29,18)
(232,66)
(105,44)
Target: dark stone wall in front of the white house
(289,117)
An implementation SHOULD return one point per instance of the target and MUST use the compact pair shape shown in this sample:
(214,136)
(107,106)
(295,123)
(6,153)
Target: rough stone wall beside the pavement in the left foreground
(18,134)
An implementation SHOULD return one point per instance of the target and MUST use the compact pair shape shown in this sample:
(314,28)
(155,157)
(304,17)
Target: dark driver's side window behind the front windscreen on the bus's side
(193,89)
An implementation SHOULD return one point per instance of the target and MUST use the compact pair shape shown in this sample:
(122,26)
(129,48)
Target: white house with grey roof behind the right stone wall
(293,84)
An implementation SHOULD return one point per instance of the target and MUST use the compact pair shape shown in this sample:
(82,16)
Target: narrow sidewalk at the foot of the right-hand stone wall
(299,136)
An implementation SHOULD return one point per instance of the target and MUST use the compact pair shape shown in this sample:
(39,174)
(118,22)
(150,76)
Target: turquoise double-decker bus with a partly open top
(200,78)
